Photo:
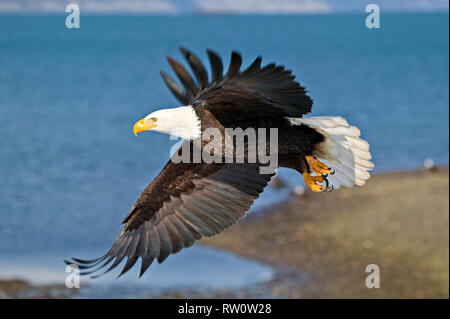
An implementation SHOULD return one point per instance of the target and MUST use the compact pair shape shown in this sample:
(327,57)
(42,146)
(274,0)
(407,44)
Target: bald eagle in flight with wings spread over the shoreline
(190,200)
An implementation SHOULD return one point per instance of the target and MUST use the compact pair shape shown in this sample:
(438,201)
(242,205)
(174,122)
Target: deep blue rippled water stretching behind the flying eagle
(70,167)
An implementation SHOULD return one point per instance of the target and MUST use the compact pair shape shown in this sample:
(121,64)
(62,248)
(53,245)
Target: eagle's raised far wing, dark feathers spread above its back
(269,90)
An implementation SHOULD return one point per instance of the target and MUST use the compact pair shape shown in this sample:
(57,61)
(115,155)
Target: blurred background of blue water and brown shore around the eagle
(70,167)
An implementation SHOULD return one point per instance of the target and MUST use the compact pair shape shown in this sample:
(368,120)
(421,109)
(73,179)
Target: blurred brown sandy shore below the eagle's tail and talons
(398,221)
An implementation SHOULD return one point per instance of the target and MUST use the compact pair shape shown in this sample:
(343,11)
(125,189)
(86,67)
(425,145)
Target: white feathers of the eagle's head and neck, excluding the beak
(181,121)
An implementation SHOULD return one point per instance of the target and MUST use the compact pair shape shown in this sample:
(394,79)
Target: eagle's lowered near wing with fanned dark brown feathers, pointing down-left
(185,202)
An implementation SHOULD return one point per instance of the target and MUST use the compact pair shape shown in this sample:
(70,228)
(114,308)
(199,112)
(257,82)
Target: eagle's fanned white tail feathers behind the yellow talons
(342,150)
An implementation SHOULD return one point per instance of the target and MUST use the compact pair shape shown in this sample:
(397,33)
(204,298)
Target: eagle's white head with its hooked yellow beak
(181,121)
